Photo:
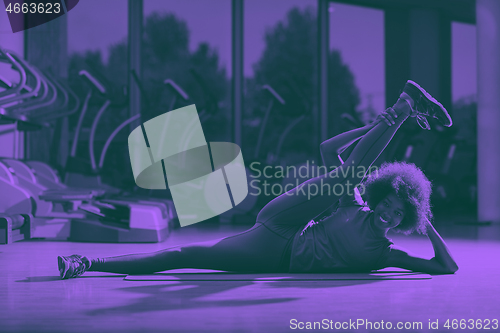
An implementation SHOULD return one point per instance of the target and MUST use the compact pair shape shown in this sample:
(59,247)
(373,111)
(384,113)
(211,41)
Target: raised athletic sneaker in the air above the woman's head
(426,105)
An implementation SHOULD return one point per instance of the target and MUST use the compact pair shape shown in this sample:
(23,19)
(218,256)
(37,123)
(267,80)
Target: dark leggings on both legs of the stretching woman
(266,246)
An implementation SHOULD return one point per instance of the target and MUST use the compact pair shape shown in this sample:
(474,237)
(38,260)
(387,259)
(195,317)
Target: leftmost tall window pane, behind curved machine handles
(97,43)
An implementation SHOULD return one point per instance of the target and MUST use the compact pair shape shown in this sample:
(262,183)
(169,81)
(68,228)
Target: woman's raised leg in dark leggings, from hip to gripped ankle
(312,197)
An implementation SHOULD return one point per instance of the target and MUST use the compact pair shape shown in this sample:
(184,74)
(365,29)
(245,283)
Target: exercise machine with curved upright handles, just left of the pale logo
(148,218)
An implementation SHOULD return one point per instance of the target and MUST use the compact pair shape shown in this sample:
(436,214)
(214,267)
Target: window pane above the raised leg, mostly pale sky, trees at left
(357,42)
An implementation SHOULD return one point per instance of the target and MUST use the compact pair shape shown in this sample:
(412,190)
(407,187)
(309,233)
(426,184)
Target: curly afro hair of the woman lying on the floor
(410,184)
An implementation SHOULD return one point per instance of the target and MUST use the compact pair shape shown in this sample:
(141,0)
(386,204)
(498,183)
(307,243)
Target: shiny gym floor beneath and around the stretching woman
(33,299)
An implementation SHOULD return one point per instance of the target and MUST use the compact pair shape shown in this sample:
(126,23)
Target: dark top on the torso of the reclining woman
(344,241)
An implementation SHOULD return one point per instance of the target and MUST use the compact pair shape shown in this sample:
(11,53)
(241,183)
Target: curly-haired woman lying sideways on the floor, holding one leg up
(303,233)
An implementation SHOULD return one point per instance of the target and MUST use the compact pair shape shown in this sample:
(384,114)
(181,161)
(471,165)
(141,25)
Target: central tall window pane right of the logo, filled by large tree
(280,54)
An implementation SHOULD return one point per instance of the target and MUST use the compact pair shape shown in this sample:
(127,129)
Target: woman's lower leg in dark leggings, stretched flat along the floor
(254,250)
